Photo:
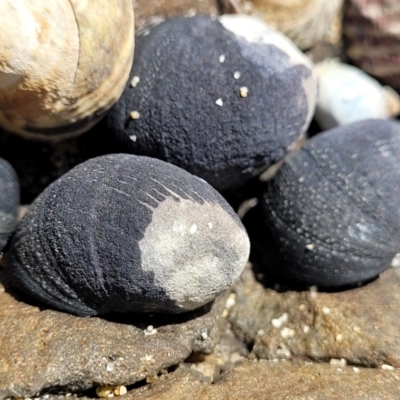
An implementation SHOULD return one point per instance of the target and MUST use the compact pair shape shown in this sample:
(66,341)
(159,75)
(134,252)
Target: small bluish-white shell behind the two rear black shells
(347,94)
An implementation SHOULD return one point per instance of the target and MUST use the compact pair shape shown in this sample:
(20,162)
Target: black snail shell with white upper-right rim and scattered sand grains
(221,98)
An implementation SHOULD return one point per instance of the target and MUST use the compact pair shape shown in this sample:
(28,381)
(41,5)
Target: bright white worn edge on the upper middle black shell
(256,31)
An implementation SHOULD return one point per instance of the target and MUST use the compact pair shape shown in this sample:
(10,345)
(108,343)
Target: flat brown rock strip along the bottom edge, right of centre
(283,380)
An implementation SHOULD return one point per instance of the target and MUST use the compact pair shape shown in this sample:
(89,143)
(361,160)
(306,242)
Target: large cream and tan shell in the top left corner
(62,63)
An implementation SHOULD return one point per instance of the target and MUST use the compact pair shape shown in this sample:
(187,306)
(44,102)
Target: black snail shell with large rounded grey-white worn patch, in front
(127,233)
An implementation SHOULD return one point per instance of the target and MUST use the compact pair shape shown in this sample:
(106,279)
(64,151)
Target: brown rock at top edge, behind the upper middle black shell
(153,12)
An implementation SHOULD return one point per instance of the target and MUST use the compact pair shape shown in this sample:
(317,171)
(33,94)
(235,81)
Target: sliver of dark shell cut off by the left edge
(9,201)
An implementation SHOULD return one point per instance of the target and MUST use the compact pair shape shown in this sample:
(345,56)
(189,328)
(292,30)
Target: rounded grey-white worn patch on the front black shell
(193,268)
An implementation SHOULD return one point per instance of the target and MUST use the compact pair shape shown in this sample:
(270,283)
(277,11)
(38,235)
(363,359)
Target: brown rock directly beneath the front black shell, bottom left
(44,349)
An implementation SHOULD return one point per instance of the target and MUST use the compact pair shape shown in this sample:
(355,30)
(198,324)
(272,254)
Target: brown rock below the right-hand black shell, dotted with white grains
(360,325)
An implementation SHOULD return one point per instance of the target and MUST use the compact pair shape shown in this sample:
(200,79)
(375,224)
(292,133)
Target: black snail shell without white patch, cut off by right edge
(333,209)
